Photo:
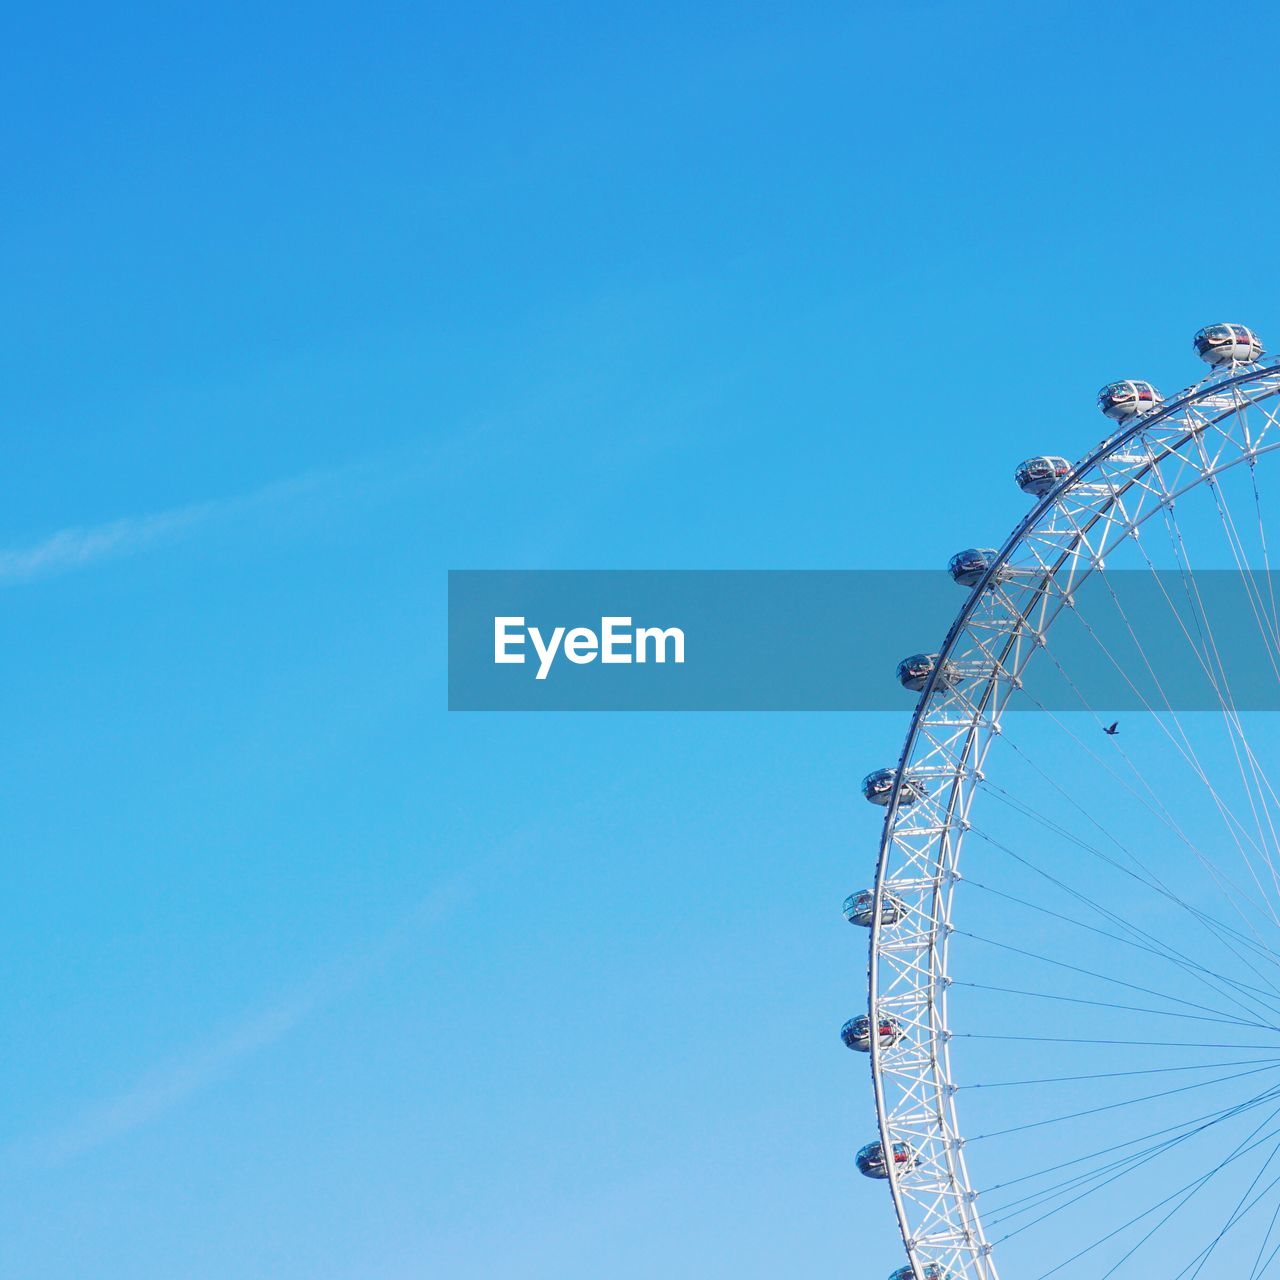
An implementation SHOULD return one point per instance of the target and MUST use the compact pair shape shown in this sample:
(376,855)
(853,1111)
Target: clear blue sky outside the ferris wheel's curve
(307,977)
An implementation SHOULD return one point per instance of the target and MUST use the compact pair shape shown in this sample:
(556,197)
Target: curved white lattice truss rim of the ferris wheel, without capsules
(1139,472)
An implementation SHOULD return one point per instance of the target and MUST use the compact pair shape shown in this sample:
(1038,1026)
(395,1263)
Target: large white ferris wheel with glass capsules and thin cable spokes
(1073,1016)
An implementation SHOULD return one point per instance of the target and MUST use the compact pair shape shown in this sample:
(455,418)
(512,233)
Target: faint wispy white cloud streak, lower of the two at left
(167,1087)
